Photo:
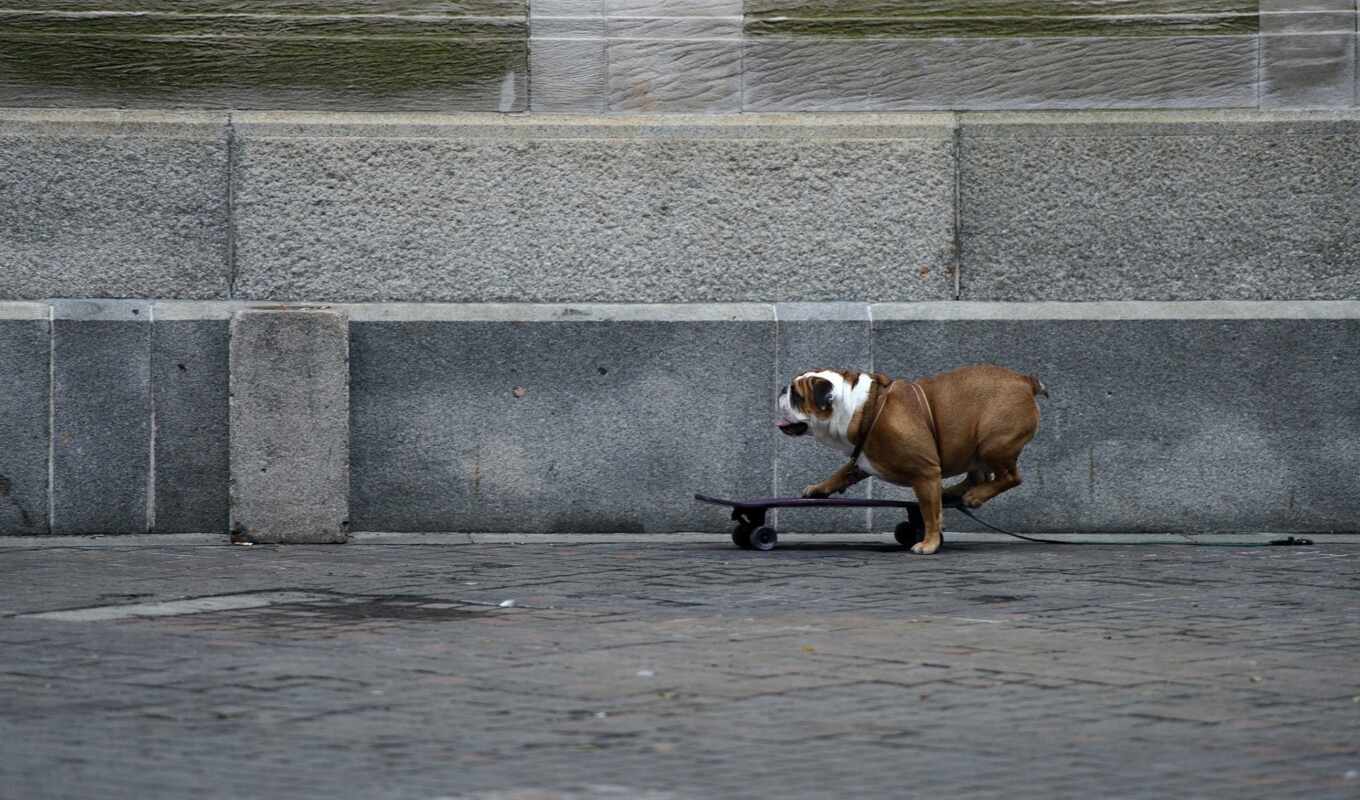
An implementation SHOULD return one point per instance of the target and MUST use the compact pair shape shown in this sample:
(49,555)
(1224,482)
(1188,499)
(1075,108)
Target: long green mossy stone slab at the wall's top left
(282,56)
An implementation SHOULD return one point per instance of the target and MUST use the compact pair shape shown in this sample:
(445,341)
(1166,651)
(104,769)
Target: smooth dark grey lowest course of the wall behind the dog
(606,418)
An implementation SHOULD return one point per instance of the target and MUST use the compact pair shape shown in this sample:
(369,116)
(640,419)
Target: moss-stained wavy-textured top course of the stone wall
(697,56)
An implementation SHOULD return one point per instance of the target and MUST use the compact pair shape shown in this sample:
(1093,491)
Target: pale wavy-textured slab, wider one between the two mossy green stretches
(675,76)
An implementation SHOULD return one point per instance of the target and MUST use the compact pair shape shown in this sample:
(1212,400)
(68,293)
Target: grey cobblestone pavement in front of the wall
(674,671)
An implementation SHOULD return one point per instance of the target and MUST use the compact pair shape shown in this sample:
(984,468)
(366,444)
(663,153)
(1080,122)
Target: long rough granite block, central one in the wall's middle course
(700,210)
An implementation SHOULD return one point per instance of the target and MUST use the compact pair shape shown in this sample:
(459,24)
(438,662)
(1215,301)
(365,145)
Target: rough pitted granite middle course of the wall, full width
(732,209)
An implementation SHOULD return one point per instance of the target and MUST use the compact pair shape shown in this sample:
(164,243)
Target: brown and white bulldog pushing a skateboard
(970,421)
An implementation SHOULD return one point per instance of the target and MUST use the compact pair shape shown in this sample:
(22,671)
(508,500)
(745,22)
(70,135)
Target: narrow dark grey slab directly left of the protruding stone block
(190,387)
